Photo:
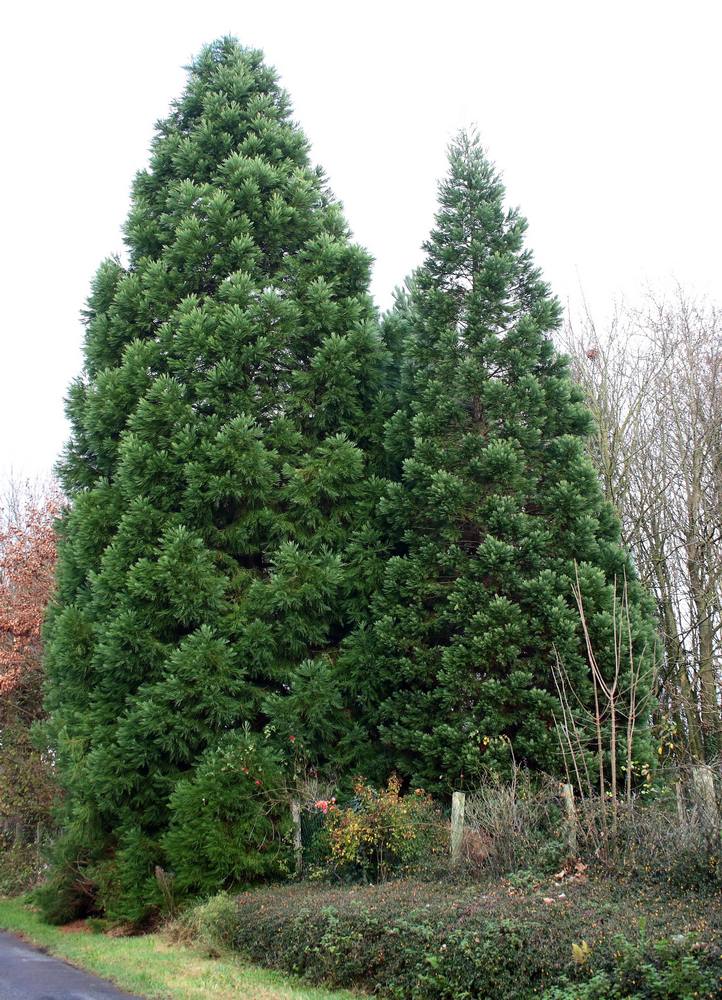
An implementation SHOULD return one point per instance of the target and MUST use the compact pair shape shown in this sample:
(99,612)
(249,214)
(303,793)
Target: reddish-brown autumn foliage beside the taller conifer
(27,566)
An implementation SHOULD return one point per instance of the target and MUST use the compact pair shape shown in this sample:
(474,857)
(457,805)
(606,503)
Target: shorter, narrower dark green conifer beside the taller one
(494,503)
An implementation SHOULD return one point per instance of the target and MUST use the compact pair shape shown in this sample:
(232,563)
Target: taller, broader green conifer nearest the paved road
(224,429)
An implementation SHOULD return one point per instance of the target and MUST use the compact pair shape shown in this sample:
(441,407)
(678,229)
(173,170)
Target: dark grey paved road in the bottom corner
(28,974)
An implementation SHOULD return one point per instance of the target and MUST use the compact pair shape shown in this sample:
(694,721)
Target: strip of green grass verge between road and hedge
(153,967)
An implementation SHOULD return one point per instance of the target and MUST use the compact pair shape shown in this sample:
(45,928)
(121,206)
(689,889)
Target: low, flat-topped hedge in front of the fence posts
(433,942)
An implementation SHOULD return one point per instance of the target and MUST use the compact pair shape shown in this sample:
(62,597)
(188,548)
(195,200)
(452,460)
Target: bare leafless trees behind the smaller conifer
(653,380)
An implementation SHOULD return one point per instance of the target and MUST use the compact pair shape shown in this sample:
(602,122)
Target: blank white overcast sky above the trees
(603,117)
